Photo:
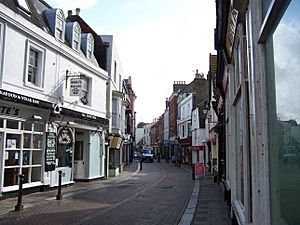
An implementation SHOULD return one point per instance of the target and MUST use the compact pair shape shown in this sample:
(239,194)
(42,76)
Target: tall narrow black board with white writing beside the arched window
(50,151)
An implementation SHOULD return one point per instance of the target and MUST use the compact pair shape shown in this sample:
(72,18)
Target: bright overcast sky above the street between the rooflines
(158,41)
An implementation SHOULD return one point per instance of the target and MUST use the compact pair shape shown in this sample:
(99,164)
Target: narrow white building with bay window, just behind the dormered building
(116,105)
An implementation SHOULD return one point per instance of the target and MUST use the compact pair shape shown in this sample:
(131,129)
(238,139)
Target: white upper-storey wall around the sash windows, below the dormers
(58,59)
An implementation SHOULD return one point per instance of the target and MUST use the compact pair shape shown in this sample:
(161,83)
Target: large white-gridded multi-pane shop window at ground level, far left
(23,151)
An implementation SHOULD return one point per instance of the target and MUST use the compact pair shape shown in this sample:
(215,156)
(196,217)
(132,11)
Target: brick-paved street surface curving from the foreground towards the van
(156,195)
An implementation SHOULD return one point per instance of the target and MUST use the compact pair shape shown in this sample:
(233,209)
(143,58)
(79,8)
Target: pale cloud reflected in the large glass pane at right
(287,70)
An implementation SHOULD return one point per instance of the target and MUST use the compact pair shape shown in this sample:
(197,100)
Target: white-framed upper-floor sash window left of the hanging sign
(34,73)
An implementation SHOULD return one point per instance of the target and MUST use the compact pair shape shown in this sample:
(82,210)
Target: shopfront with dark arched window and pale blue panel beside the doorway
(80,149)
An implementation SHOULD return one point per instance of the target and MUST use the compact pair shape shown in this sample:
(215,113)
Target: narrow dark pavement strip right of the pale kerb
(211,208)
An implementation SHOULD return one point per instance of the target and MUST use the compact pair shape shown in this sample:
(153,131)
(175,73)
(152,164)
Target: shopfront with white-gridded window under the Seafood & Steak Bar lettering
(23,124)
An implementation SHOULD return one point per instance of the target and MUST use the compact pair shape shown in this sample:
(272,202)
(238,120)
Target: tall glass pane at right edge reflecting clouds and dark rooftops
(284,117)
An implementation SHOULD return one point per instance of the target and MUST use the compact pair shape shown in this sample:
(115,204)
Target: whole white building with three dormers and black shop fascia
(52,91)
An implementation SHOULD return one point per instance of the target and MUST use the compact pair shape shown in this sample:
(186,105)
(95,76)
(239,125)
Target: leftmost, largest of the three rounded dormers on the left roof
(56,21)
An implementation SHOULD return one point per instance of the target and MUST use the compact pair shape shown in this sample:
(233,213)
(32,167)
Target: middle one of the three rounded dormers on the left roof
(73,34)
